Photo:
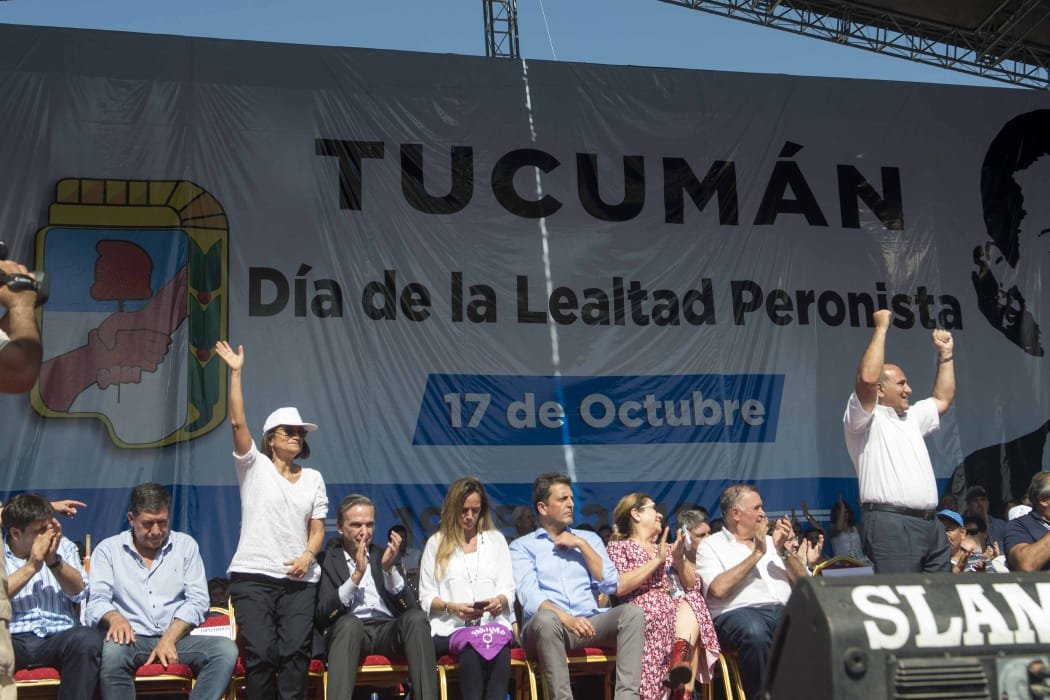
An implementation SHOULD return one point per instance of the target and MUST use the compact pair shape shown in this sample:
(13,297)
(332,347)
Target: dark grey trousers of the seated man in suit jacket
(350,640)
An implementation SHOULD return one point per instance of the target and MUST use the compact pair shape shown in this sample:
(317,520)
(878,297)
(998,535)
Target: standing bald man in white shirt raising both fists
(885,437)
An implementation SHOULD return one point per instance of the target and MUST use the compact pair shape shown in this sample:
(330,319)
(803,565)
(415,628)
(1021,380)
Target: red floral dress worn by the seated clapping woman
(655,600)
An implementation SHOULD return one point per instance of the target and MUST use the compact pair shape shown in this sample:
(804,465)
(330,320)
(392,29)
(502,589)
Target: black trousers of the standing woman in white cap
(276,618)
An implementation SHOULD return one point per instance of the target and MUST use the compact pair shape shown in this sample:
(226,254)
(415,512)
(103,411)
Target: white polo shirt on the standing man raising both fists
(890,453)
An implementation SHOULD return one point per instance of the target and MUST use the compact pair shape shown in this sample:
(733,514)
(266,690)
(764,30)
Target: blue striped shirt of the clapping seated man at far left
(41,608)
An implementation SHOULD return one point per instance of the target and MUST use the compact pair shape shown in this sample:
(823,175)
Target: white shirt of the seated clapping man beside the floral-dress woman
(766,585)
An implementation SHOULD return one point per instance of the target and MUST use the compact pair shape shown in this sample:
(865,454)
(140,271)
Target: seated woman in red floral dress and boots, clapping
(641,554)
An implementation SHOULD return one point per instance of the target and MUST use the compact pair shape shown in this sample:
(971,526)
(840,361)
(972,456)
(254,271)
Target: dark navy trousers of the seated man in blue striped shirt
(74,652)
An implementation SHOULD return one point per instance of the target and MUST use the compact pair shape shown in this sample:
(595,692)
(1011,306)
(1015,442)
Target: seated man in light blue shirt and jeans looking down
(149,591)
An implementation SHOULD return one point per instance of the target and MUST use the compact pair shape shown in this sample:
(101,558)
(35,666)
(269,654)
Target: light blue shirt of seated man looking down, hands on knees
(150,599)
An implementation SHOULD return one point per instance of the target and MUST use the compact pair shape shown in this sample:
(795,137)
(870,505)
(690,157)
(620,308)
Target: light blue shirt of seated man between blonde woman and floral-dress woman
(545,572)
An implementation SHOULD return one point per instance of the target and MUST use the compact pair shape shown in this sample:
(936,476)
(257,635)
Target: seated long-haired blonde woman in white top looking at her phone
(466,580)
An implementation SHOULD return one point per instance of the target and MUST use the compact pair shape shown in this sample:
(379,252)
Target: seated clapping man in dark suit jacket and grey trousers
(364,606)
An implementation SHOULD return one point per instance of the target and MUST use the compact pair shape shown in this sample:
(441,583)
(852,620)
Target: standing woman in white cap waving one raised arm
(275,572)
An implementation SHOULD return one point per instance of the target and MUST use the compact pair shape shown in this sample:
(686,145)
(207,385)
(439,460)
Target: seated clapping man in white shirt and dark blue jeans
(747,577)
